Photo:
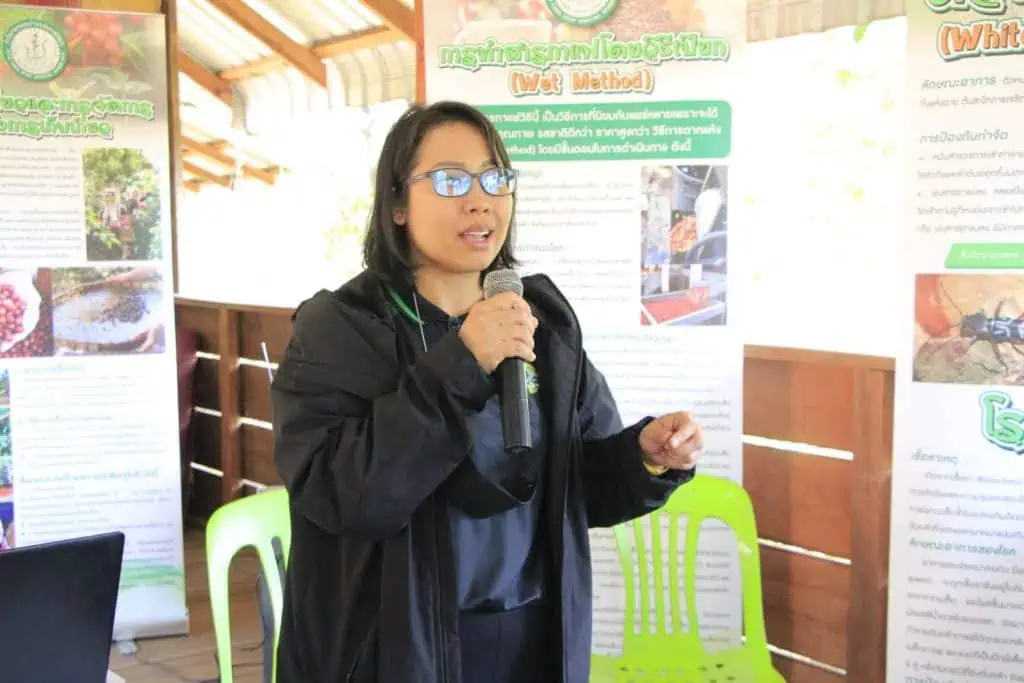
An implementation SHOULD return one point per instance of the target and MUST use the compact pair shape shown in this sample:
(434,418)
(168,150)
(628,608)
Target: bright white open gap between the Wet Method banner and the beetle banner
(820,165)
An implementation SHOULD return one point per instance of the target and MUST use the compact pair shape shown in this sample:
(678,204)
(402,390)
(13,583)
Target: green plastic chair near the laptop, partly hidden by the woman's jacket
(254,521)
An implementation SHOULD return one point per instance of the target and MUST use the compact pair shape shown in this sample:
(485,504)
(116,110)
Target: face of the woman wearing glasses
(455,235)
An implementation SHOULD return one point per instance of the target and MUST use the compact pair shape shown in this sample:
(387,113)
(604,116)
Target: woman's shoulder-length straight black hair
(387,248)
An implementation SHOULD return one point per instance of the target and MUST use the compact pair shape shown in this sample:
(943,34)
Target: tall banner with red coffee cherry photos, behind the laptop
(89,388)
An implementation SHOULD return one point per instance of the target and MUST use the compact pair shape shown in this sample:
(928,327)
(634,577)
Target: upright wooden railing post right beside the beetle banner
(870,511)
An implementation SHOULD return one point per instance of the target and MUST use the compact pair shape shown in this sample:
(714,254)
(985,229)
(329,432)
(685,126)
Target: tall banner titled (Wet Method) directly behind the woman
(619,115)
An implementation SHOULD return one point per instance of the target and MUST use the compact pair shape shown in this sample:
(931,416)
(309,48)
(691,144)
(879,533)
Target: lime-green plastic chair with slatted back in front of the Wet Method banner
(679,656)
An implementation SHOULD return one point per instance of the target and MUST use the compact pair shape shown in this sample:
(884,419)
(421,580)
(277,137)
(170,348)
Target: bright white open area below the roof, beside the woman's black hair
(269,245)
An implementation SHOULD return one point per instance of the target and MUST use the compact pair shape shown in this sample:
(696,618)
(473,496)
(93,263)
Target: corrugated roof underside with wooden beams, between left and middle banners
(274,109)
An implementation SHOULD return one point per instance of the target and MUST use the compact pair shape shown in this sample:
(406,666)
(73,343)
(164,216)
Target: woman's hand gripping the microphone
(499,328)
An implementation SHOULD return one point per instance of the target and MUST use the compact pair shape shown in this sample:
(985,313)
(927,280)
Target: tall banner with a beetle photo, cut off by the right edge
(957,558)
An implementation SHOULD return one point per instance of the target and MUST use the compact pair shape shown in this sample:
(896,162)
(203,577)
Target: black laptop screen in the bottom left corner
(58,603)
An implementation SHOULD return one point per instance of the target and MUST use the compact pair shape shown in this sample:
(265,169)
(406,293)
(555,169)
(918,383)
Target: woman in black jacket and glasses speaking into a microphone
(421,552)
